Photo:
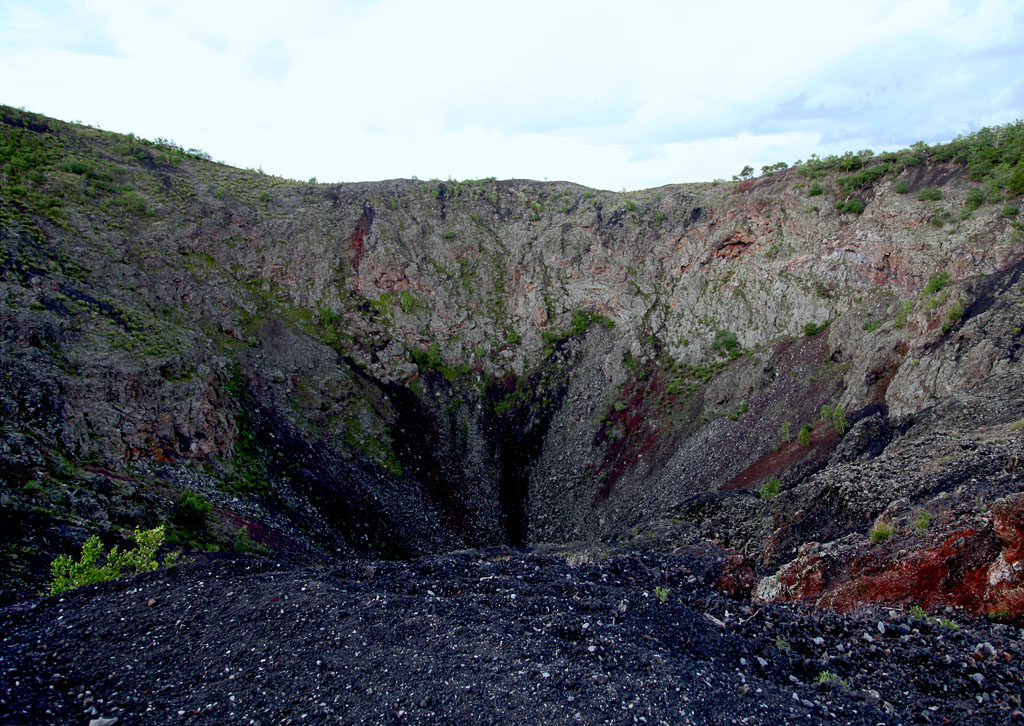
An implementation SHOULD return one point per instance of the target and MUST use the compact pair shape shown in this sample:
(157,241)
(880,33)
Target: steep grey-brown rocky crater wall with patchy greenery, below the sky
(407,367)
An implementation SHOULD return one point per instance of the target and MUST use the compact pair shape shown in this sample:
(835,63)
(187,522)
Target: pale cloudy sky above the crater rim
(614,96)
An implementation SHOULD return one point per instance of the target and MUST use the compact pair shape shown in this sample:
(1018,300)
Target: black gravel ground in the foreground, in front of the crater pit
(486,637)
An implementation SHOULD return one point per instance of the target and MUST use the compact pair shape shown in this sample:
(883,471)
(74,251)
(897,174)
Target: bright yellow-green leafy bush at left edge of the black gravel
(68,575)
